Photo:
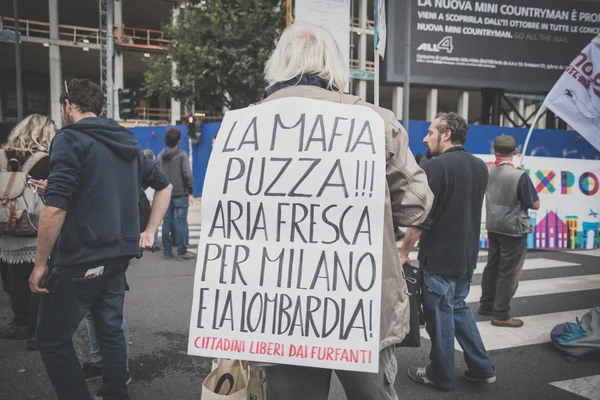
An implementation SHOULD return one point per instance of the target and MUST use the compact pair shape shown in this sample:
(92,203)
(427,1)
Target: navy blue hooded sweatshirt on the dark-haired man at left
(96,172)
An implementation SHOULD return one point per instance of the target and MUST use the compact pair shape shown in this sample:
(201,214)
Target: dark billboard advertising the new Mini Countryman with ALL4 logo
(522,45)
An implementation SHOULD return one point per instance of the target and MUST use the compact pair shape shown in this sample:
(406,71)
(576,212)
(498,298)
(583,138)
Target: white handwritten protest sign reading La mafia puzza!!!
(290,255)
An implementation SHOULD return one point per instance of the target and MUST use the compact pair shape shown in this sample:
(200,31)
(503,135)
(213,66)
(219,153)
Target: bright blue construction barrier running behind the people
(544,143)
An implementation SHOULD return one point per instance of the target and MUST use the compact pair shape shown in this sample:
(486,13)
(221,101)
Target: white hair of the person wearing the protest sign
(304,49)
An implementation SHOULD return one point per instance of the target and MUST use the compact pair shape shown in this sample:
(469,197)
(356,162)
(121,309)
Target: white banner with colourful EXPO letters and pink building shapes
(569,192)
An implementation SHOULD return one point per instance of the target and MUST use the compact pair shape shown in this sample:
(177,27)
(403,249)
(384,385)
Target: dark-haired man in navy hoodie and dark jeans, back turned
(90,224)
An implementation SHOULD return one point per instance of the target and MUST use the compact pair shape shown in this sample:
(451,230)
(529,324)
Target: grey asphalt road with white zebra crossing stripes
(158,308)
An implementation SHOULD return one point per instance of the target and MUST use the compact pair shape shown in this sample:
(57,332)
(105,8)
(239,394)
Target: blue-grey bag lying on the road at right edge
(580,339)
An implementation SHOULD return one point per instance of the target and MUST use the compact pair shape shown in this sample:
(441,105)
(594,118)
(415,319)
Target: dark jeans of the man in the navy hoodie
(71,297)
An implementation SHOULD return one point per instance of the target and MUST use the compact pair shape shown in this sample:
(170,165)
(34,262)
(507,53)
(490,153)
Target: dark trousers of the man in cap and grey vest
(500,280)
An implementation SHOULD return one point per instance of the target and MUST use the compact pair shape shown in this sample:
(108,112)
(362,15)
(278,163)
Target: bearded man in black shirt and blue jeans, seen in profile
(448,254)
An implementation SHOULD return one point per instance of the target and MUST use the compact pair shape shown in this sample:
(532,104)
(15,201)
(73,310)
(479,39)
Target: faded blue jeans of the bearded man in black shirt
(447,316)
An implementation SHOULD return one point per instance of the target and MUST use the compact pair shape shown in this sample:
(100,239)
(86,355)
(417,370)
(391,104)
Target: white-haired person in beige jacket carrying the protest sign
(308,63)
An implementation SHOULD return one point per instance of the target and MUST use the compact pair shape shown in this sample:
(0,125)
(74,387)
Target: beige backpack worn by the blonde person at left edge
(20,203)
